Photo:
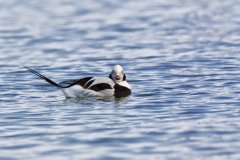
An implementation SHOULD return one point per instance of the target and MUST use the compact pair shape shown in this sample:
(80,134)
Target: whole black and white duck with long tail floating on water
(113,86)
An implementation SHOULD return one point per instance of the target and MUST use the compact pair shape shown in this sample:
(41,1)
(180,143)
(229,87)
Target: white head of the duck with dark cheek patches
(117,74)
